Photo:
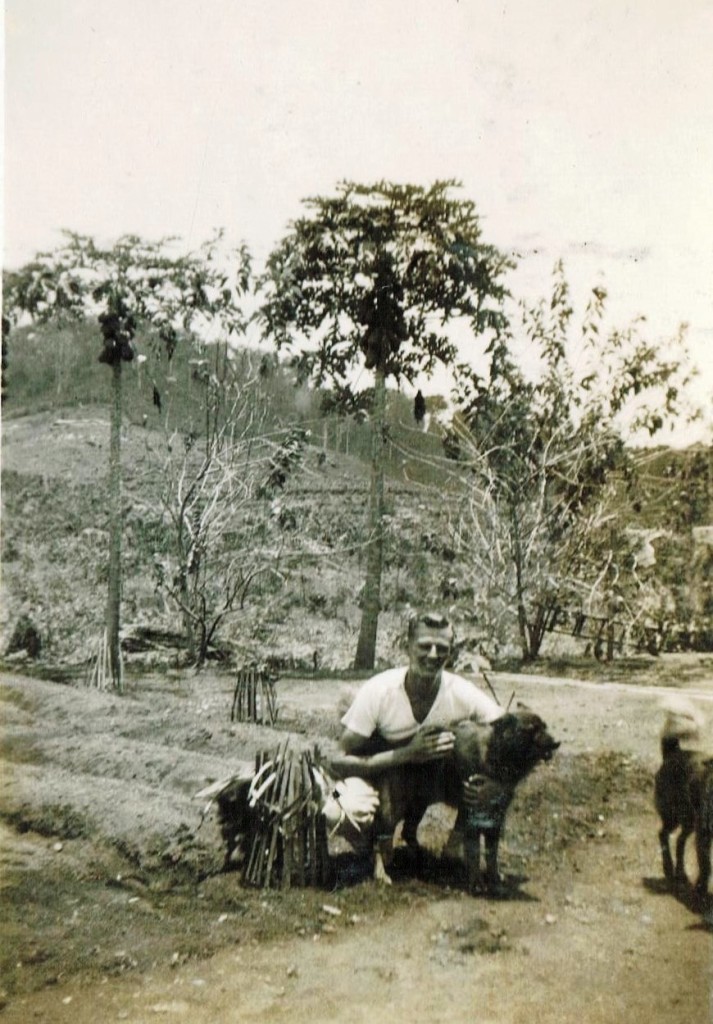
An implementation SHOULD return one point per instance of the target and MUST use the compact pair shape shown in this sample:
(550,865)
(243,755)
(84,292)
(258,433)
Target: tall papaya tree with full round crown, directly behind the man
(372,279)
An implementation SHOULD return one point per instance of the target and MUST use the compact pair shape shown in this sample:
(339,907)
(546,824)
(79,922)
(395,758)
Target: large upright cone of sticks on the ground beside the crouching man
(287,844)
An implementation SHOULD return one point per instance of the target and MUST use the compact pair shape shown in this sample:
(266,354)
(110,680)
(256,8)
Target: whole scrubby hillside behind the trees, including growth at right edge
(55,516)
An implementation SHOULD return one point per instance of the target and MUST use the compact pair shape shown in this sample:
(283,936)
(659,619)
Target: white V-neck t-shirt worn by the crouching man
(384,705)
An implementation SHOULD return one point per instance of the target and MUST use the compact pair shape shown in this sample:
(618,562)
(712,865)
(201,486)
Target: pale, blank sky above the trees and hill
(583,130)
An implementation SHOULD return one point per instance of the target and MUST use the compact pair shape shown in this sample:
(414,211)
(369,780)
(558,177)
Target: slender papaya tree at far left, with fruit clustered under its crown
(130,284)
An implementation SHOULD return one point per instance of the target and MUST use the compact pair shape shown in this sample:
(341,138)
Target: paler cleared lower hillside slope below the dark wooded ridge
(56,535)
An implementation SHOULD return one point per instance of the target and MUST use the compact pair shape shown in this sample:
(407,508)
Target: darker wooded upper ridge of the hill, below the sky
(56,369)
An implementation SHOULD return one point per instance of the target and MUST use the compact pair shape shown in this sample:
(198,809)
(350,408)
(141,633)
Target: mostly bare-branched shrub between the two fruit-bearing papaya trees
(222,534)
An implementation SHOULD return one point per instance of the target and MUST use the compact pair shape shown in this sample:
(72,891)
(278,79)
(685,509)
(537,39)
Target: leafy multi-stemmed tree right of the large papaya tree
(542,452)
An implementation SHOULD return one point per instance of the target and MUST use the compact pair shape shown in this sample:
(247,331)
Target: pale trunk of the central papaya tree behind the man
(366,648)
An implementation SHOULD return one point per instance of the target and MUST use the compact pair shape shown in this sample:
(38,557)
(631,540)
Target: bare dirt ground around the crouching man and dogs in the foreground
(116,908)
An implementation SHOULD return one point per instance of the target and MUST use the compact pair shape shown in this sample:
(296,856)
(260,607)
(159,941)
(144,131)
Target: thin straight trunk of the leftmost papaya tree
(115,526)
